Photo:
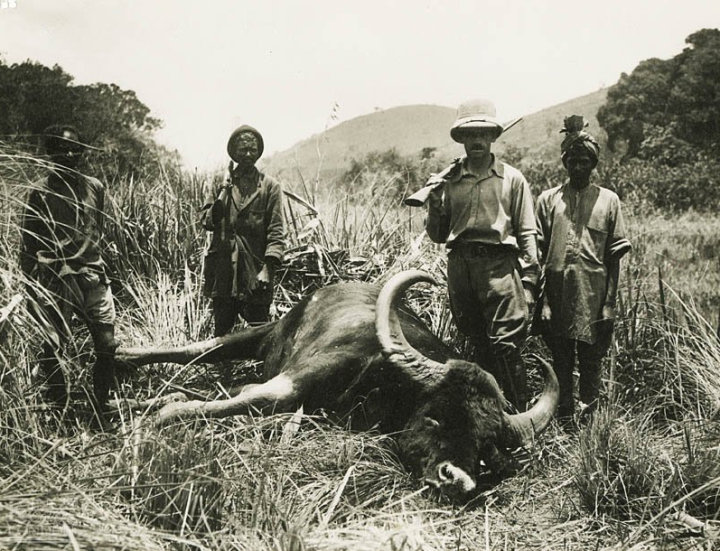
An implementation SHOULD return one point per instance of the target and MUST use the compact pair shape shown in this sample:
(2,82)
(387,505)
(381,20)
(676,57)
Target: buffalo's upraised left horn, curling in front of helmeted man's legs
(395,346)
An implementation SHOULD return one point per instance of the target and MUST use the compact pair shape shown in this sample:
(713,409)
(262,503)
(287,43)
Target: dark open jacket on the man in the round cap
(247,233)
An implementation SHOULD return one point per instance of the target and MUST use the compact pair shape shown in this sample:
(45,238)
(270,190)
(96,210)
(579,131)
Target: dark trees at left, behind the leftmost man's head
(113,120)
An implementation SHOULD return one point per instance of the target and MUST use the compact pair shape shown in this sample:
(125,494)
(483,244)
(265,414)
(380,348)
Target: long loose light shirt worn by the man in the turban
(579,233)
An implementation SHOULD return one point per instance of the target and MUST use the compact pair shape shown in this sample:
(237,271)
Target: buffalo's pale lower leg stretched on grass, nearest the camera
(277,394)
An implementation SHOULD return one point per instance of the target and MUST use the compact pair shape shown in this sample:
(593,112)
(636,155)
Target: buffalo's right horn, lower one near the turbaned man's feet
(521,428)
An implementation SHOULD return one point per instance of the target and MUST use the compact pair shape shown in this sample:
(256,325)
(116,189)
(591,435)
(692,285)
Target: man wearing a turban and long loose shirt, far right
(581,239)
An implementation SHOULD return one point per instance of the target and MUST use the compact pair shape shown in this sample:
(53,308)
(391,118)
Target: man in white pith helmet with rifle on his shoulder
(483,212)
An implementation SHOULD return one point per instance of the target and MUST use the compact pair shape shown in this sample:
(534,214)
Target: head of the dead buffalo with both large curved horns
(460,419)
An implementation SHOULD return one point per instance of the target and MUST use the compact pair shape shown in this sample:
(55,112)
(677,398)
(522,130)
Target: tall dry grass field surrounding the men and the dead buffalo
(644,474)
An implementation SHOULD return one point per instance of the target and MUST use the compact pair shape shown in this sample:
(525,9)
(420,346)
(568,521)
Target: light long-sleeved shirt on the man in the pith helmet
(494,209)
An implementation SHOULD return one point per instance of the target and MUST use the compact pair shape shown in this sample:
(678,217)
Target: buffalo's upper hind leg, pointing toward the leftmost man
(236,346)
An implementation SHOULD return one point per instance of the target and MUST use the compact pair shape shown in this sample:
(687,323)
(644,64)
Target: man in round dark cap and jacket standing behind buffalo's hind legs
(245,216)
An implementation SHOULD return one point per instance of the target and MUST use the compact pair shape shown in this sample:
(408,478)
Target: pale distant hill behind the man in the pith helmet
(411,128)
